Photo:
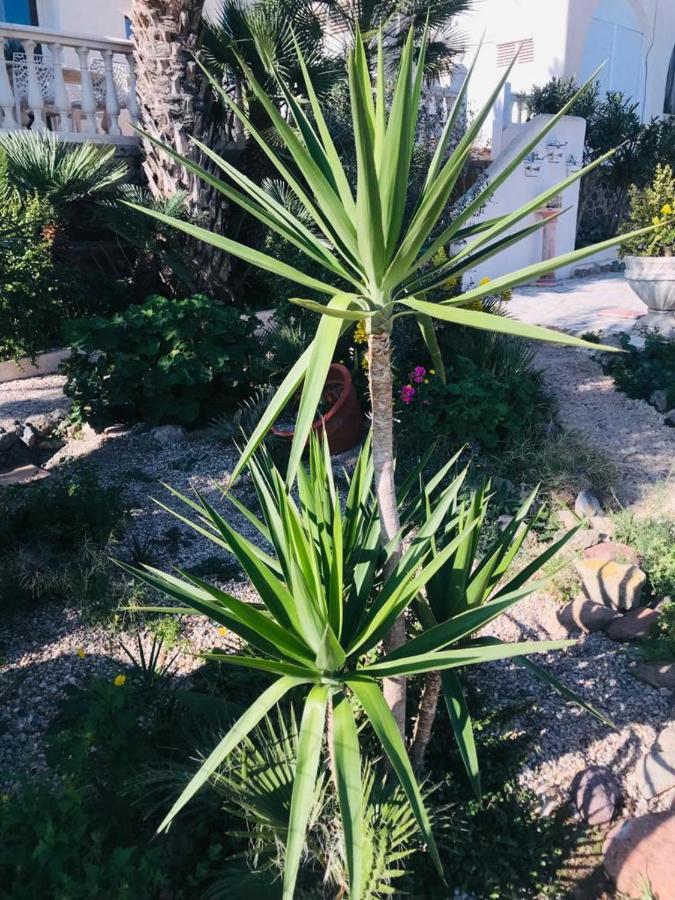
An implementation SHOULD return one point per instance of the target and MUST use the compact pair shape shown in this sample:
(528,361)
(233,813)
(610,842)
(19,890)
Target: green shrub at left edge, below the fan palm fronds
(37,292)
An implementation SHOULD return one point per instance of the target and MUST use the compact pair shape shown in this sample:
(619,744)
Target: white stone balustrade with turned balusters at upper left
(77,86)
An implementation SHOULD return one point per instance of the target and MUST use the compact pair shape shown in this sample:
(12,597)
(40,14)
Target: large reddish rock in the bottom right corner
(638,852)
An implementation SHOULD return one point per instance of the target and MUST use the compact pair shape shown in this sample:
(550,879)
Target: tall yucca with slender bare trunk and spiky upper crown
(378,266)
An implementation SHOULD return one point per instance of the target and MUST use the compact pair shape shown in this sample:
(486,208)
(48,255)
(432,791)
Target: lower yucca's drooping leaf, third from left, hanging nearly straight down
(347,760)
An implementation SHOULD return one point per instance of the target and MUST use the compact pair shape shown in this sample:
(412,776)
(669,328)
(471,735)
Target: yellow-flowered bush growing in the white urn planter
(653,205)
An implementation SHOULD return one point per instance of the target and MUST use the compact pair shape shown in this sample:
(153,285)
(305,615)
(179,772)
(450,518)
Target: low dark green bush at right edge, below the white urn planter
(638,373)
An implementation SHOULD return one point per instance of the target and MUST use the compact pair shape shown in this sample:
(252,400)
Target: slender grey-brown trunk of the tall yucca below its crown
(381,400)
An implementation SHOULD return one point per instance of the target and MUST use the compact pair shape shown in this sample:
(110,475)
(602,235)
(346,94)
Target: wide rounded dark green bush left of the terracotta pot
(163,361)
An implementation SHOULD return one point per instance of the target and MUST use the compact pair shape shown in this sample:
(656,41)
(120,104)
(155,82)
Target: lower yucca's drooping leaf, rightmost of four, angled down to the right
(370,697)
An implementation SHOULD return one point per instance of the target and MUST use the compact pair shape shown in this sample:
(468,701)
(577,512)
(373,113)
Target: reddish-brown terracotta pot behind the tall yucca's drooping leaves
(343,421)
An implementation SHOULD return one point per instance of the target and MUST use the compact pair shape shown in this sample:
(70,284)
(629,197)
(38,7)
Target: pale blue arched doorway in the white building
(615,34)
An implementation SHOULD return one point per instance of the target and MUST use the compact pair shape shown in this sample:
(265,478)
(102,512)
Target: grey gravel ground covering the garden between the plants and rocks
(40,648)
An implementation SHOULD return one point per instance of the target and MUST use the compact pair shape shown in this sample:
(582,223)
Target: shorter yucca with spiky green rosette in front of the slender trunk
(329,591)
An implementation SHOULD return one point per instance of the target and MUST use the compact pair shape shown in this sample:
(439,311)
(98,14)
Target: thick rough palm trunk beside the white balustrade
(175,103)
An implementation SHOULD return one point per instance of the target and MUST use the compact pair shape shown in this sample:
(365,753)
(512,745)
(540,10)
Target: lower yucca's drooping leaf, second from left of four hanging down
(310,740)
